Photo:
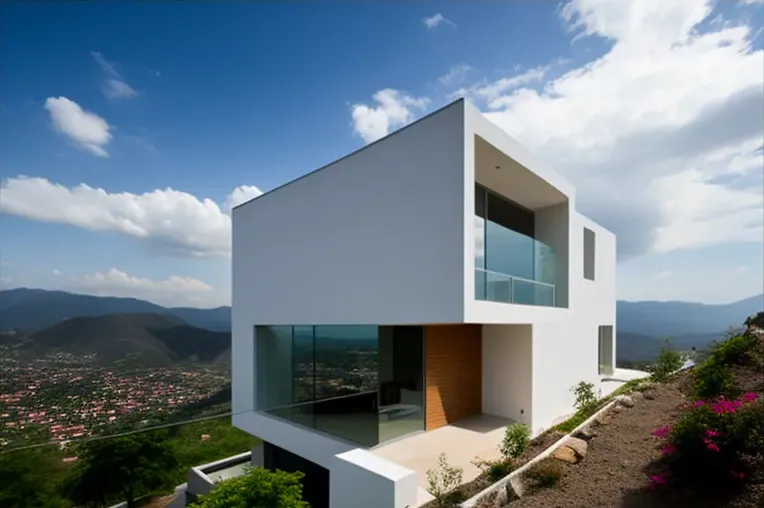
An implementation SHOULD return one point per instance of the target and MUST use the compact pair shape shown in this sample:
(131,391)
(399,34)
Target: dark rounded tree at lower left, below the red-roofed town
(121,468)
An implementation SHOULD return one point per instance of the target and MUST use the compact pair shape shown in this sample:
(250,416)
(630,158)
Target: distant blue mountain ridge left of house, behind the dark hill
(32,310)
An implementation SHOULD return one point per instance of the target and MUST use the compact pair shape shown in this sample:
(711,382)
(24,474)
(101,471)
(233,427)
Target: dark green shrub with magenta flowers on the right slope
(708,441)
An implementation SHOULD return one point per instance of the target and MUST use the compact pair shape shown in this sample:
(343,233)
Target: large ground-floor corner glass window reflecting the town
(364,384)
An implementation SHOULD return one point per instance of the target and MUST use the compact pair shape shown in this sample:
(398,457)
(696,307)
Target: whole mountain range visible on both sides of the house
(61,320)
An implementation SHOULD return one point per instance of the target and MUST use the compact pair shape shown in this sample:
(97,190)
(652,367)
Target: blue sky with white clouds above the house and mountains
(204,98)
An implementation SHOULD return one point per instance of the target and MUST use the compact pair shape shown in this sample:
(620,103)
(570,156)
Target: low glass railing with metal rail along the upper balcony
(498,287)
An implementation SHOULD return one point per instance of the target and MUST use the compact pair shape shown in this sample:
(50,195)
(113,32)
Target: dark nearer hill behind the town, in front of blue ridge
(155,339)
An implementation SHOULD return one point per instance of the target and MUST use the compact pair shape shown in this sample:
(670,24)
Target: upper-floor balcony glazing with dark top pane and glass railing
(510,264)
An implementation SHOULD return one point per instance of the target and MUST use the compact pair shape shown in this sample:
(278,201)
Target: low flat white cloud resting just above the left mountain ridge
(174,291)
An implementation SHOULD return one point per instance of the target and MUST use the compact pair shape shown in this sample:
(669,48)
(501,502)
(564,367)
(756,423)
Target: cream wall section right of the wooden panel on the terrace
(507,380)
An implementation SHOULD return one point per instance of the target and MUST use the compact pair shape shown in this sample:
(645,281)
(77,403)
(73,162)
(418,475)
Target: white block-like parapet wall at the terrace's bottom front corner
(361,479)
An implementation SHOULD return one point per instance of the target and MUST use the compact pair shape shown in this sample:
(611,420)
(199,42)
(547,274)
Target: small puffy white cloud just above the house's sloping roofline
(394,109)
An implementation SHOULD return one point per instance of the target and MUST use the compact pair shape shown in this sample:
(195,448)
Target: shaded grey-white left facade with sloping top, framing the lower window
(374,238)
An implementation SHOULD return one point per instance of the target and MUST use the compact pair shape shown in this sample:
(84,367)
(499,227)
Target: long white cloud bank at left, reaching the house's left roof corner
(170,222)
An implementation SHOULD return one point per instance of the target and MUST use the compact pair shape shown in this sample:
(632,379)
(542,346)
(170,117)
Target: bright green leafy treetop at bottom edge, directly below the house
(257,488)
